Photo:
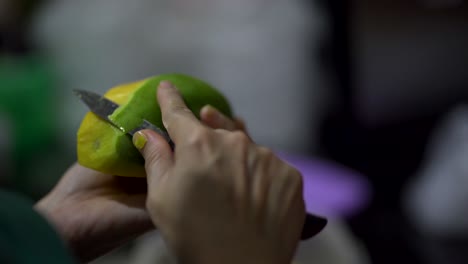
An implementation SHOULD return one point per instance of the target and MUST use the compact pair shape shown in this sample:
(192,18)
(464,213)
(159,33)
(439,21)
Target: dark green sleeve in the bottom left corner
(26,237)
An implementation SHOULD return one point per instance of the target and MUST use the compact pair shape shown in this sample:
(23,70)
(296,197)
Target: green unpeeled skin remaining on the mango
(142,104)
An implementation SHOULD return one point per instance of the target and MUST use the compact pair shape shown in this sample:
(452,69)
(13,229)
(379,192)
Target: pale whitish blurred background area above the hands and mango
(256,52)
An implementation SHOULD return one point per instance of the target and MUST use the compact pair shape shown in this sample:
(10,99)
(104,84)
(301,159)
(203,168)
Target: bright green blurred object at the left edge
(28,98)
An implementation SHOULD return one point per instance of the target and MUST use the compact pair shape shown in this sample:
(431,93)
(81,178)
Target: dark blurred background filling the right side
(400,66)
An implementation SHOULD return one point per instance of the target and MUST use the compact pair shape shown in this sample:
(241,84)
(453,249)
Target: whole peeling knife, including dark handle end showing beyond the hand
(103,108)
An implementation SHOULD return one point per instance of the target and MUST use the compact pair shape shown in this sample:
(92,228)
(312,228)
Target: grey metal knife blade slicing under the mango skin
(103,108)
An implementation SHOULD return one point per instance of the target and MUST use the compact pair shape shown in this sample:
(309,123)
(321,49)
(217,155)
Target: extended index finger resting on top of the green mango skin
(177,118)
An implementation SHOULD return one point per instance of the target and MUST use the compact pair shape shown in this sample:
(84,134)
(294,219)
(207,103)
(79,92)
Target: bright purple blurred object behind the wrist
(330,189)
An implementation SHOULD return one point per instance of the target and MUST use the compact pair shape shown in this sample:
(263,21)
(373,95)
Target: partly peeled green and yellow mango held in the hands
(105,148)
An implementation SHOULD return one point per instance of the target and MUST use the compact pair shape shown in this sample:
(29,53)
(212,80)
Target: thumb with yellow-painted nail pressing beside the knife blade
(156,152)
